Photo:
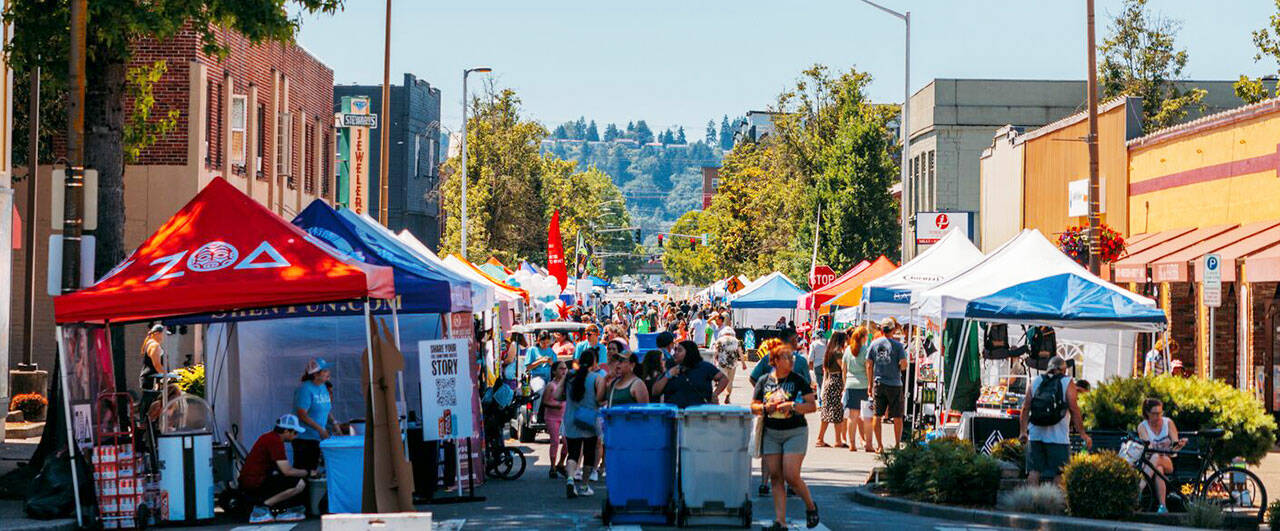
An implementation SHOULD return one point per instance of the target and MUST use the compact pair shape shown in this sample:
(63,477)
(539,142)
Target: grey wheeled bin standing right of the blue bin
(715,464)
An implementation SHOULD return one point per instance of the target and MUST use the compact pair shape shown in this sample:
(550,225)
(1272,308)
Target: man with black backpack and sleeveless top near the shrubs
(1049,413)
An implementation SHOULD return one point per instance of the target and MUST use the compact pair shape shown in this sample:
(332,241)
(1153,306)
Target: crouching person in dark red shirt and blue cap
(269,478)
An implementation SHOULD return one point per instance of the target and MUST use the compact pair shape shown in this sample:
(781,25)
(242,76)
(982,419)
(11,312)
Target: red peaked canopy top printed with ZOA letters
(223,251)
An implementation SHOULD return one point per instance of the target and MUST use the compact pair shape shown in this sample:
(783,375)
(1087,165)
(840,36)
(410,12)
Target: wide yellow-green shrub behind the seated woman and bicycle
(1195,405)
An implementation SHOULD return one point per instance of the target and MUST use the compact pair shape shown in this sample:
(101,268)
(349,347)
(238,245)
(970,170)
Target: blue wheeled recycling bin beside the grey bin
(641,460)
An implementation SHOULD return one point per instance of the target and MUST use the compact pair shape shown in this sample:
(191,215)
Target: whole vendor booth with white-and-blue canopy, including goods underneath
(1036,292)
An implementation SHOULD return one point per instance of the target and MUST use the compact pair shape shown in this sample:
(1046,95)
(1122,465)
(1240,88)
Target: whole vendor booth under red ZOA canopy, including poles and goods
(258,268)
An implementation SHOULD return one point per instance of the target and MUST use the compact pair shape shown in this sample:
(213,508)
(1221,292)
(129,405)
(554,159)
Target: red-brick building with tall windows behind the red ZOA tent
(262,117)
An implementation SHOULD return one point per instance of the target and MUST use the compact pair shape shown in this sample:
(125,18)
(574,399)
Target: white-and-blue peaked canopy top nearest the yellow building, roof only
(1028,281)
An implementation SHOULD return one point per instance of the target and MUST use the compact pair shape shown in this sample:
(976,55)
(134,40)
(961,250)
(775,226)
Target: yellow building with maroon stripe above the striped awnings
(1214,182)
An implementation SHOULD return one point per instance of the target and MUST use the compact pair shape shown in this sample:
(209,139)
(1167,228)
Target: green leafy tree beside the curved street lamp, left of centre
(514,190)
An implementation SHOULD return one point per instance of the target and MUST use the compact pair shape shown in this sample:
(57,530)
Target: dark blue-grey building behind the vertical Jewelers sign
(415,155)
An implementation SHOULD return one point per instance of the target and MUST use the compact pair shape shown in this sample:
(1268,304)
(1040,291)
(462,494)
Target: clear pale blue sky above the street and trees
(684,62)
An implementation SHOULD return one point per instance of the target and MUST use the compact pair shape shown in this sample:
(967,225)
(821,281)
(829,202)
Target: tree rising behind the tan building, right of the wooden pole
(1141,59)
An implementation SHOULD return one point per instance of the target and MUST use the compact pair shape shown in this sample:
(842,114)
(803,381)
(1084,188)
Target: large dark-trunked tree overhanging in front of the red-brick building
(115,28)
